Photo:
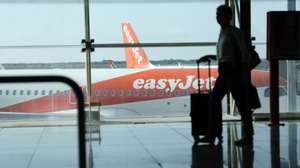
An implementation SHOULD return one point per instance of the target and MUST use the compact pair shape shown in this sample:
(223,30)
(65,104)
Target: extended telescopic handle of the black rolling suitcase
(206,58)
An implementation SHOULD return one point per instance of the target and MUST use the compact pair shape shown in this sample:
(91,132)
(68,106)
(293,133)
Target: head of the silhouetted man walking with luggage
(224,15)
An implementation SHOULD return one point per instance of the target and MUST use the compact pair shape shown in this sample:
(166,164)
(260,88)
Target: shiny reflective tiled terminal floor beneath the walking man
(159,145)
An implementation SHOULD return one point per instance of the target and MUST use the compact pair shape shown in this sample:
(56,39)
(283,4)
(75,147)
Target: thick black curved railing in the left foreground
(80,105)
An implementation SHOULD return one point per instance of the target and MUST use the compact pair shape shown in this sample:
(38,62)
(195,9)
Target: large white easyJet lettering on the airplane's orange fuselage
(169,85)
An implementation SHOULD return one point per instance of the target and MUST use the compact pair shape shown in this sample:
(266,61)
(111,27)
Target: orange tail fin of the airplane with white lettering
(135,57)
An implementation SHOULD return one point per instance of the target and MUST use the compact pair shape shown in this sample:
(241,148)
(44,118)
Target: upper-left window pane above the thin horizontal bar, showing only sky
(42,23)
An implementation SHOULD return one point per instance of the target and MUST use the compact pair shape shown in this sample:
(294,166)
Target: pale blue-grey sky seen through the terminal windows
(54,30)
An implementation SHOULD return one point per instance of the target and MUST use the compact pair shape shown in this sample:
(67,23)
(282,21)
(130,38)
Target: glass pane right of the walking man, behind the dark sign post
(259,11)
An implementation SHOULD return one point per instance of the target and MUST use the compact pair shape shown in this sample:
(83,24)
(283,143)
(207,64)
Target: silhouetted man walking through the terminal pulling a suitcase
(234,74)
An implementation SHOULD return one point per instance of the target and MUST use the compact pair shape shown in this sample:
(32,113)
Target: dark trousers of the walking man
(235,81)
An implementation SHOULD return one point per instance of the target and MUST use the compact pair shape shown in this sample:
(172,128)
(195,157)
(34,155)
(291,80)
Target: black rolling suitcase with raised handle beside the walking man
(199,104)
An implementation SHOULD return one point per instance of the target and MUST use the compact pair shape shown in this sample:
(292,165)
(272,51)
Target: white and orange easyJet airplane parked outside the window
(141,89)
